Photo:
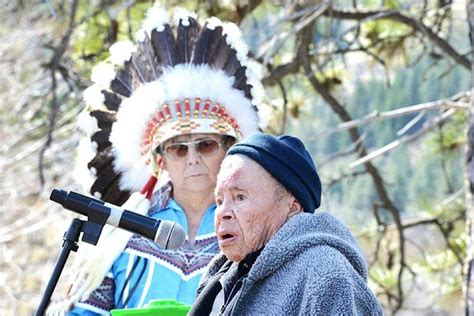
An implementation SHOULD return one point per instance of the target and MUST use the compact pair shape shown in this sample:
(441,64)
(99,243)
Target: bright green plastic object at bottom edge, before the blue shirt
(156,307)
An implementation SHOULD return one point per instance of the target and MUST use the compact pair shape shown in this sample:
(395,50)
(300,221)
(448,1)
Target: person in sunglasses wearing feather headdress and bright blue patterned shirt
(161,116)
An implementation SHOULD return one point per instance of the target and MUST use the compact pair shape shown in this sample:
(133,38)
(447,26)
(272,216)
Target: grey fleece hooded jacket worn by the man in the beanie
(311,266)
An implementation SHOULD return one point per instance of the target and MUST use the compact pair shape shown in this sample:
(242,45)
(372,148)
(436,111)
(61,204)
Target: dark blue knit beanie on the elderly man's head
(288,161)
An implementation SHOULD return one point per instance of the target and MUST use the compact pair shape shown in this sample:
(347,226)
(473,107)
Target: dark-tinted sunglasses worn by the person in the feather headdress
(205,147)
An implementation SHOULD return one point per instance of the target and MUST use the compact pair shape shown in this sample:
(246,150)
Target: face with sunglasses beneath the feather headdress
(189,169)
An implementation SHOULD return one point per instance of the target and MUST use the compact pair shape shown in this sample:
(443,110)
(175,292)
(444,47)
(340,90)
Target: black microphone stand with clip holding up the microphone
(92,230)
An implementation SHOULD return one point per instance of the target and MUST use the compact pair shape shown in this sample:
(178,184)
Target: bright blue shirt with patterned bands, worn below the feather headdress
(144,271)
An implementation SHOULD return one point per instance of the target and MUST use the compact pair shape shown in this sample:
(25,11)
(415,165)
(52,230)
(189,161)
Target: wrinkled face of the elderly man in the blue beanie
(251,207)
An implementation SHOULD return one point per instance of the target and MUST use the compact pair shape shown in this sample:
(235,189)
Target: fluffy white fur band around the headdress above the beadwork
(195,81)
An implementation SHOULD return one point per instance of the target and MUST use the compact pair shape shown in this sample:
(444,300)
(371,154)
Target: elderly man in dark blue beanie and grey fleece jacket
(278,258)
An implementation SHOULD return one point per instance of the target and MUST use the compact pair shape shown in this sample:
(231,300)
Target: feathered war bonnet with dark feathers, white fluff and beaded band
(165,86)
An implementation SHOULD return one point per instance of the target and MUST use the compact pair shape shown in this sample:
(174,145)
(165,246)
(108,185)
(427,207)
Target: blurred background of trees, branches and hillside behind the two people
(335,74)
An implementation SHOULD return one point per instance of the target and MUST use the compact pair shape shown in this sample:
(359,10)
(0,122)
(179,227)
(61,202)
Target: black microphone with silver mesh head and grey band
(166,234)
